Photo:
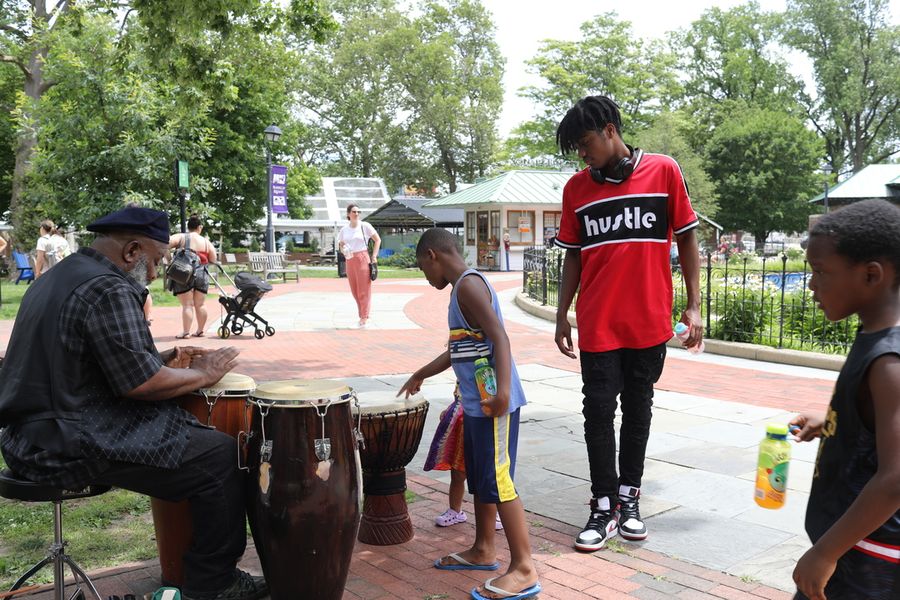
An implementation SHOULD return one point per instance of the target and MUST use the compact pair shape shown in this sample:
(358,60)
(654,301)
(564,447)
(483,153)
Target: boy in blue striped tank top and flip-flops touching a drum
(490,427)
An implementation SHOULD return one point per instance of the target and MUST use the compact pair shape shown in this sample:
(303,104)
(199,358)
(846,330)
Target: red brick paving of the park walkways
(405,571)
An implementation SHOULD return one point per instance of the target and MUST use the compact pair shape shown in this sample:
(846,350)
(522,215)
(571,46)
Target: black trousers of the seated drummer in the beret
(210,480)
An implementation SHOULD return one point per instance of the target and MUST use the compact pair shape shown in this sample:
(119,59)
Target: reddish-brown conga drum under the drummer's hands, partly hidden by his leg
(225,406)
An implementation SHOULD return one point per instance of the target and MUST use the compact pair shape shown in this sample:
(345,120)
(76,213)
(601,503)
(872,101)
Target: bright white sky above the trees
(522,24)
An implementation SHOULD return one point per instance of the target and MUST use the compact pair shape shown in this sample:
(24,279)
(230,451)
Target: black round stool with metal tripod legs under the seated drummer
(15,488)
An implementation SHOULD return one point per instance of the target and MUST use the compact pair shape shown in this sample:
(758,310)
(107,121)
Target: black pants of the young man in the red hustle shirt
(607,375)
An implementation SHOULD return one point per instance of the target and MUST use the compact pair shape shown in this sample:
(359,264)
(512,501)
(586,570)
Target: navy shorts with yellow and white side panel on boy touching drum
(490,451)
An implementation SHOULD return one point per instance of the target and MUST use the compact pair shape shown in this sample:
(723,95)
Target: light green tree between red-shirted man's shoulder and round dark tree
(668,135)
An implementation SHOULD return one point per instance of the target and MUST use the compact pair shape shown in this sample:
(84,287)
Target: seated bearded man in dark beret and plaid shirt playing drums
(86,398)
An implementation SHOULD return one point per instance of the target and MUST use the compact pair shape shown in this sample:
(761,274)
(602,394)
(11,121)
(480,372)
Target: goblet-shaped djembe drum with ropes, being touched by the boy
(391,429)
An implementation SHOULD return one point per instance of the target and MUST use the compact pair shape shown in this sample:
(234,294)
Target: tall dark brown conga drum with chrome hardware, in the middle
(304,488)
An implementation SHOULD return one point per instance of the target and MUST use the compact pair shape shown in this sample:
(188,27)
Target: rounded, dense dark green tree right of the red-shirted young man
(763,162)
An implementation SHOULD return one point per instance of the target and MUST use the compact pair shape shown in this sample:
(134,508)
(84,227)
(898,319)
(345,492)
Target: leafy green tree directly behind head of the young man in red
(606,59)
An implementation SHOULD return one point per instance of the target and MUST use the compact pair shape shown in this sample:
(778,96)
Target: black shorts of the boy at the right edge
(860,576)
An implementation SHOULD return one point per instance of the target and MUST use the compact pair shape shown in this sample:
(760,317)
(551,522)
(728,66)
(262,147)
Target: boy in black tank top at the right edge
(853,515)
